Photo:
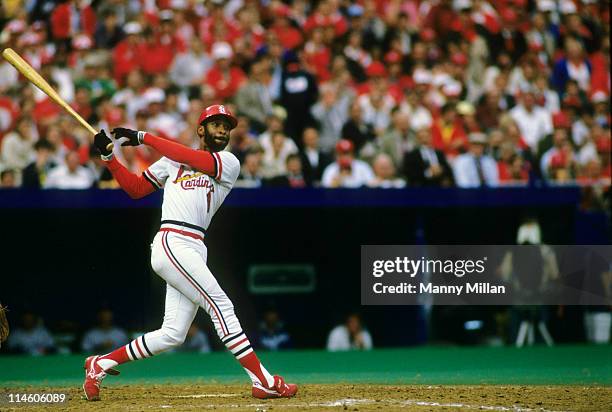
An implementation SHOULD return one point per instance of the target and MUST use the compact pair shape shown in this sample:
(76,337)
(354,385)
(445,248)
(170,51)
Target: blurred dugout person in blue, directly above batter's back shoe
(104,336)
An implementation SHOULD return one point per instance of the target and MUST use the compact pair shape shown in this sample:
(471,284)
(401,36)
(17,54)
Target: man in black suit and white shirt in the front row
(425,166)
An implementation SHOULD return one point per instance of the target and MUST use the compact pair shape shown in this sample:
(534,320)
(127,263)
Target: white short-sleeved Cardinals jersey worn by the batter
(192,197)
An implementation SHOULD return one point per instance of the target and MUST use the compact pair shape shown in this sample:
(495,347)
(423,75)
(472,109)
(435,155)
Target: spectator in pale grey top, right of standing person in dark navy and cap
(331,113)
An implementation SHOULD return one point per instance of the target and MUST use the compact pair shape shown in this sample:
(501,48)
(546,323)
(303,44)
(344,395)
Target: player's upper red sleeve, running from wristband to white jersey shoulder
(200,160)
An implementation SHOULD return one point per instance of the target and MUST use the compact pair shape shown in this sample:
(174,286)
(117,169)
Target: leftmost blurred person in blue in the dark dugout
(31,337)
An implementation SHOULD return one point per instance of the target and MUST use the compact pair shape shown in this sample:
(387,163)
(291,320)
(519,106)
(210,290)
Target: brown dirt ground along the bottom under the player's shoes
(332,397)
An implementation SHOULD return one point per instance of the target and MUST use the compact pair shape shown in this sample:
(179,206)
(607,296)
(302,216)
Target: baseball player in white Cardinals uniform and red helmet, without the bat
(195,183)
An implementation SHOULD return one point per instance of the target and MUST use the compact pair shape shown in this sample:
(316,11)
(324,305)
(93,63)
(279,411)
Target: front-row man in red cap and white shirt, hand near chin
(346,171)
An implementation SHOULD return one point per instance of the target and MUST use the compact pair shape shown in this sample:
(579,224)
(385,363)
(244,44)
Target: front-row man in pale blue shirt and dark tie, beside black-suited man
(475,168)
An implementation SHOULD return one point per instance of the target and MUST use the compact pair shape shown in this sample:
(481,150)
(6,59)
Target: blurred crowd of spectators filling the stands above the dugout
(332,93)
